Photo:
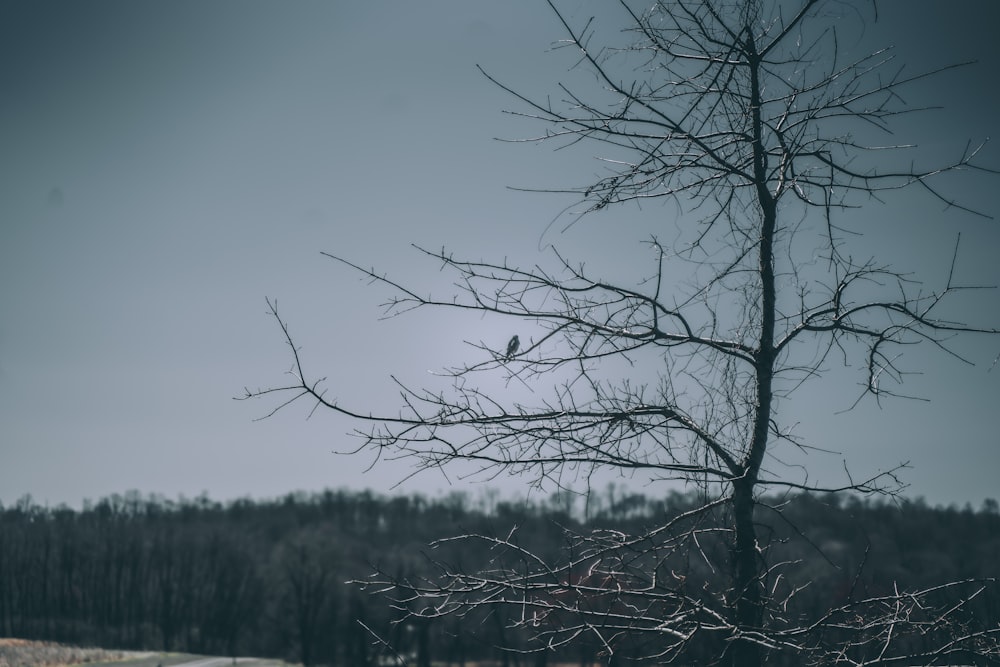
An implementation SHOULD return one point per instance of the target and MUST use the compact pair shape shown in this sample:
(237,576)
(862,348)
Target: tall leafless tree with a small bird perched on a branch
(745,115)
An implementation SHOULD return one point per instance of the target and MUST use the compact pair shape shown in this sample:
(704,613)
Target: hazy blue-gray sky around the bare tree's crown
(164,166)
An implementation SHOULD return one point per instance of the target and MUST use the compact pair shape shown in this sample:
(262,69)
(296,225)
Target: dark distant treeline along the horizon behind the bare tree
(269,577)
